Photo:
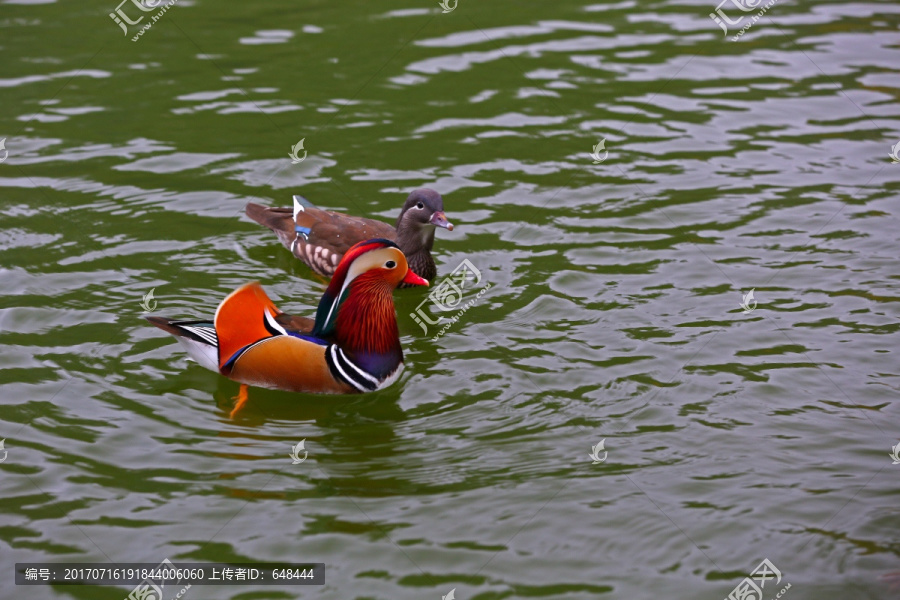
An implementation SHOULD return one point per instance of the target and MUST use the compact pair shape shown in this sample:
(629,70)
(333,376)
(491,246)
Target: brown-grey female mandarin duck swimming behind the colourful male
(320,237)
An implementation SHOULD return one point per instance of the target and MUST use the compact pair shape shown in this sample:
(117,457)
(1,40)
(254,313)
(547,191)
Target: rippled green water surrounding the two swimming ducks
(613,314)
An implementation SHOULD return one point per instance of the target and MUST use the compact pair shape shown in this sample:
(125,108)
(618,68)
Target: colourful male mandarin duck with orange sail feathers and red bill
(353,345)
